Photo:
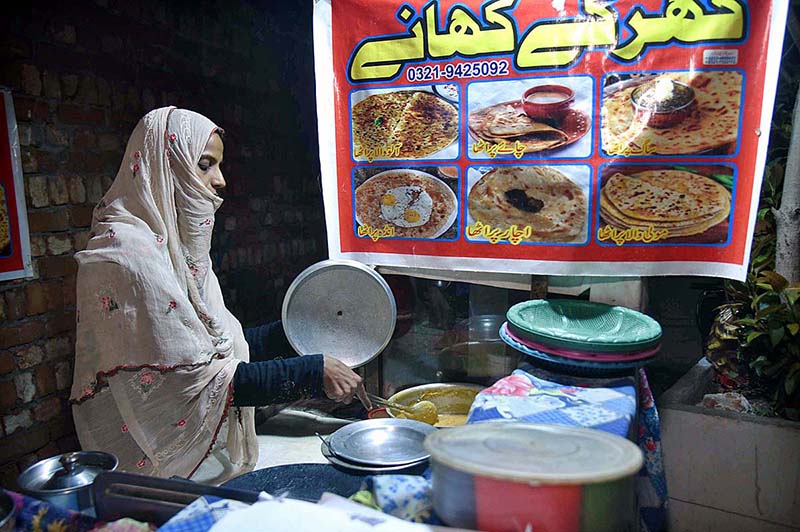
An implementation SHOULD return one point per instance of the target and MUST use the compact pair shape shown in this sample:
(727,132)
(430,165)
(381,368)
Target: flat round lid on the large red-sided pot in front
(535,452)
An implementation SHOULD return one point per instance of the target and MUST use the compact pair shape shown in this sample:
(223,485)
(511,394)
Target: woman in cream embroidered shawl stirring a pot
(161,369)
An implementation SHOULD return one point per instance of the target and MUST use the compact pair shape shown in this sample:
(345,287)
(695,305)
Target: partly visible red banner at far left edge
(15,252)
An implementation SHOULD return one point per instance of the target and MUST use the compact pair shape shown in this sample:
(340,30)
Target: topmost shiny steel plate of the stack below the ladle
(381,442)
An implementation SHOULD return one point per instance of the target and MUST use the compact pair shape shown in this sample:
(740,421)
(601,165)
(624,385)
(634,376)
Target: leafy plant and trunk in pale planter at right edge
(739,471)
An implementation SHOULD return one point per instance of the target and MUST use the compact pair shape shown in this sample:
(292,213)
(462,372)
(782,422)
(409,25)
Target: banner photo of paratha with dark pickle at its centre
(541,197)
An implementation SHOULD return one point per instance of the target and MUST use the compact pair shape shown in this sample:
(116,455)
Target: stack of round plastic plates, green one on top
(582,338)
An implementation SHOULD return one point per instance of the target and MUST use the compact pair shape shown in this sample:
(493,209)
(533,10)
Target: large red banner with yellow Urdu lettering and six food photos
(584,138)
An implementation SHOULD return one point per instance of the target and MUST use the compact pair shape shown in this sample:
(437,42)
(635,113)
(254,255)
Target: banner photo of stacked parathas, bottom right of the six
(690,206)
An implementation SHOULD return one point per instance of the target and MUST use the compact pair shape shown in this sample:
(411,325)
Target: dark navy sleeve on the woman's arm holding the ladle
(278,381)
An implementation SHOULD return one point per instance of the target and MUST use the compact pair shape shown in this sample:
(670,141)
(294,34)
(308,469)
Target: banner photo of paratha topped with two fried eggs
(413,202)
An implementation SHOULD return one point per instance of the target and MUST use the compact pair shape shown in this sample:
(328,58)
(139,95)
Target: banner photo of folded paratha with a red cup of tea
(497,117)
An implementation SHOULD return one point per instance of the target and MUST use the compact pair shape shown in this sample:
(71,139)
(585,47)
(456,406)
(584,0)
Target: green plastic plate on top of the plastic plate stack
(583,325)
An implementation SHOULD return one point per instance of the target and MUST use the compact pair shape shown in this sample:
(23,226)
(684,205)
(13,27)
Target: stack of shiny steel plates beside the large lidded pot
(379,446)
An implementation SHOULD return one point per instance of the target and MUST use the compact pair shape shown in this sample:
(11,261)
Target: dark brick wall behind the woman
(82,75)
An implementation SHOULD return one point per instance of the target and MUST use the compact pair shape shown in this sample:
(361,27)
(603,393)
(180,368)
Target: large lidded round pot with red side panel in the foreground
(511,476)
